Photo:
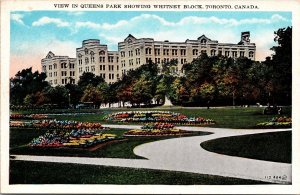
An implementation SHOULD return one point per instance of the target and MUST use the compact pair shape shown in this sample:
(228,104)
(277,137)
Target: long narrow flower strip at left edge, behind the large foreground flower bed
(56,124)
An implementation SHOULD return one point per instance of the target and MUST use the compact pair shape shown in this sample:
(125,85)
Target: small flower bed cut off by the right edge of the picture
(277,122)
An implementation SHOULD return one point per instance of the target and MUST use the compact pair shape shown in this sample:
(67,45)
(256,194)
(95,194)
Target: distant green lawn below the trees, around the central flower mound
(237,118)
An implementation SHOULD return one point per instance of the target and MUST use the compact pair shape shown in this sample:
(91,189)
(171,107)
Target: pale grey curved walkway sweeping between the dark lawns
(185,154)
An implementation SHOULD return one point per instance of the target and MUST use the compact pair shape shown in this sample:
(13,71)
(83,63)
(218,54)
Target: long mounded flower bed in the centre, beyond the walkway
(157,116)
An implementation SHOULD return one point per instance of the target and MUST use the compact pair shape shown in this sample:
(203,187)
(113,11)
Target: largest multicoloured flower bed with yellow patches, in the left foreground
(71,138)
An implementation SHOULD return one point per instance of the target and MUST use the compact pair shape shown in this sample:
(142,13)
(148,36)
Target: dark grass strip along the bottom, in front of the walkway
(22,172)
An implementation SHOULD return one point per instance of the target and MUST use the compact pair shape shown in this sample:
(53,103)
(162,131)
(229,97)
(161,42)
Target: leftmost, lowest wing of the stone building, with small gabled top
(60,70)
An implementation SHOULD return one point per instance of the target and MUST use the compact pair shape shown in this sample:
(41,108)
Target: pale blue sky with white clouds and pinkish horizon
(35,33)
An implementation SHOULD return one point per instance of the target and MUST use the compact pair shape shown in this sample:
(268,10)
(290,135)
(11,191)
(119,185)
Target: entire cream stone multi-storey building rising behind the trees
(132,53)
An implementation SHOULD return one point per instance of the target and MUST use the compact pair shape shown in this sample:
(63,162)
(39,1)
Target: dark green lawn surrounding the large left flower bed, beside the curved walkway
(122,149)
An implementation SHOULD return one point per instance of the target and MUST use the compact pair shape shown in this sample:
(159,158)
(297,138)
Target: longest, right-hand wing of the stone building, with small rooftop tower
(135,52)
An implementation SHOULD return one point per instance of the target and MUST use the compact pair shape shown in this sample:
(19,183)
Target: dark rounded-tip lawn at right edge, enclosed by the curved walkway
(275,146)
